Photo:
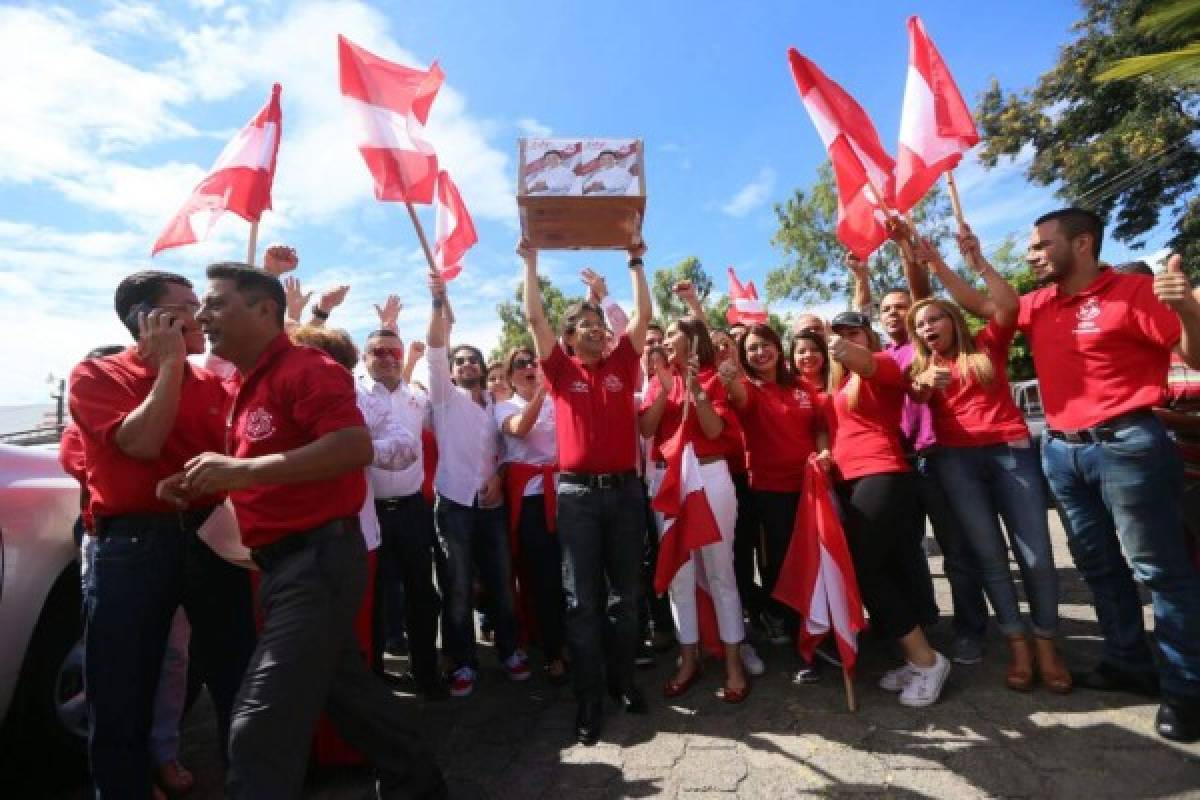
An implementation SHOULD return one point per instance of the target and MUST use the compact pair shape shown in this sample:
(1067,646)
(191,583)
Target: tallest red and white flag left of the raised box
(392,105)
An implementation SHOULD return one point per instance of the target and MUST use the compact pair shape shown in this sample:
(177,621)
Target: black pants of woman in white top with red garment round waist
(543,561)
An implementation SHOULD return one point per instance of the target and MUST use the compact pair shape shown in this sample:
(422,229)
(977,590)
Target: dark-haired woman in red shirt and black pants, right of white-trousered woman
(783,426)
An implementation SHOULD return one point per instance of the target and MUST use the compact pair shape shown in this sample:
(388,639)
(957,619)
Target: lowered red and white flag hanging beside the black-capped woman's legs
(818,575)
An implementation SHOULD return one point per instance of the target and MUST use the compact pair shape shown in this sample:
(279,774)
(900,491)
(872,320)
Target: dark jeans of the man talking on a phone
(146,568)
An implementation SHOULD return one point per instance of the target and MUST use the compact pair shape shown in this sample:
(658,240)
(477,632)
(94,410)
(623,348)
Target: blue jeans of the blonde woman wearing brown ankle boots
(1001,482)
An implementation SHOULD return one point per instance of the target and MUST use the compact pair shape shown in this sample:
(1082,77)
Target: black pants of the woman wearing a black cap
(880,510)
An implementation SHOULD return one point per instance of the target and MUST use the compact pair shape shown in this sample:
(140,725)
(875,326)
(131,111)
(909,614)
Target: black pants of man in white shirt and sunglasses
(406,556)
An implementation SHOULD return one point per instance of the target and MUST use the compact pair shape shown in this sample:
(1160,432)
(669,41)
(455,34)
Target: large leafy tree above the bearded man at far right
(1120,148)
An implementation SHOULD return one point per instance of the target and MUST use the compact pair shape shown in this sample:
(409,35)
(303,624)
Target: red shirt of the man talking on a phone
(104,392)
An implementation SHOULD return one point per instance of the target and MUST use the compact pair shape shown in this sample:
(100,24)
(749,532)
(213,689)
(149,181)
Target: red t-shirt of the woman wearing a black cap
(868,441)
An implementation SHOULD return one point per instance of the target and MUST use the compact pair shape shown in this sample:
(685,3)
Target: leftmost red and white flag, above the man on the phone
(239,182)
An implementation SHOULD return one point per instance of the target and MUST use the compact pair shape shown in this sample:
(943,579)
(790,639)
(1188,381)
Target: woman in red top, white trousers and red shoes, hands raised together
(688,393)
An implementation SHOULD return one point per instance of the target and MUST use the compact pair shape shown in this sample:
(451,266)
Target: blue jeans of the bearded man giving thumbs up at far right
(1121,507)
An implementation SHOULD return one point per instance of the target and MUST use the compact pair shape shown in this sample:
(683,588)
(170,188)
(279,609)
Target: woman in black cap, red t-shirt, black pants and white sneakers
(879,495)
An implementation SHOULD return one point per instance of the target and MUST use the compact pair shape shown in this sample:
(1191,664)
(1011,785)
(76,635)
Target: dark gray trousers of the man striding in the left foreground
(308,661)
